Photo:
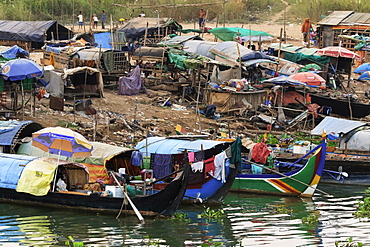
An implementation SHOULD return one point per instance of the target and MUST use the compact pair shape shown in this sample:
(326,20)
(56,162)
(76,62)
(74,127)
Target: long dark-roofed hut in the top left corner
(31,34)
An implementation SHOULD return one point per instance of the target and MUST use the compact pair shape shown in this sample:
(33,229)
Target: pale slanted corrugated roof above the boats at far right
(336,125)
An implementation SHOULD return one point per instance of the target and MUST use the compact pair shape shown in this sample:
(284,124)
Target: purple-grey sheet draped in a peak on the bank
(131,84)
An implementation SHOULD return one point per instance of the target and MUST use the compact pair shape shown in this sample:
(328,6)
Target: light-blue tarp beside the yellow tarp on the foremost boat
(11,167)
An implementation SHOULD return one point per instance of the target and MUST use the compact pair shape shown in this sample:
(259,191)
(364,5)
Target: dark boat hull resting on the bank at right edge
(341,106)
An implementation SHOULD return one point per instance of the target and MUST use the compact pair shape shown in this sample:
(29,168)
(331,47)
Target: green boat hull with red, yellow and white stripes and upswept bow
(299,182)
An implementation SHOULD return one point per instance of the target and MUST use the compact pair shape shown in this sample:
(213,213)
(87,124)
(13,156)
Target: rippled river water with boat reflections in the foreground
(250,221)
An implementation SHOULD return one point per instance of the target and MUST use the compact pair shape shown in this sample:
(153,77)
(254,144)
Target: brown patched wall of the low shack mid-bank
(224,101)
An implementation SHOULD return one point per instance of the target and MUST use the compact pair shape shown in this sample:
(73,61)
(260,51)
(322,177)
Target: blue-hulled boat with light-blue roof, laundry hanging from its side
(210,189)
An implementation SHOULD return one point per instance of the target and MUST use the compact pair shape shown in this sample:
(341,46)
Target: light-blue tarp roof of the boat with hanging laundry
(161,145)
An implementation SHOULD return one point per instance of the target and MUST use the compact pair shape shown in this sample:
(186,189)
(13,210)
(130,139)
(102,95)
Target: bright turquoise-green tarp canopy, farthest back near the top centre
(230,33)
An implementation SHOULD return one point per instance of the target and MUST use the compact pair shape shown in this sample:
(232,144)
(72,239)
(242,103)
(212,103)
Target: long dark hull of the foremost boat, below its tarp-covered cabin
(165,202)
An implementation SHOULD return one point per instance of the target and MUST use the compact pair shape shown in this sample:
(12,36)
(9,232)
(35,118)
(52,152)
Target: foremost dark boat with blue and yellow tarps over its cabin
(27,180)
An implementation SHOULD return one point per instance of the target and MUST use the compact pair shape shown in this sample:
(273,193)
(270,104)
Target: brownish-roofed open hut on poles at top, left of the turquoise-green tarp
(149,30)
